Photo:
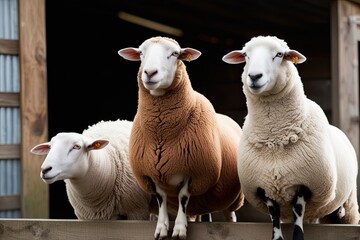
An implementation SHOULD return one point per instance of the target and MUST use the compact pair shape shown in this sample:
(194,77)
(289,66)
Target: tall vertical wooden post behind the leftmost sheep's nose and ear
(33,99)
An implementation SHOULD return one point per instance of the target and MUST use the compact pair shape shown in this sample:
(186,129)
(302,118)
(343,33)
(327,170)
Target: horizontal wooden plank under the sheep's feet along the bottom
(144,230)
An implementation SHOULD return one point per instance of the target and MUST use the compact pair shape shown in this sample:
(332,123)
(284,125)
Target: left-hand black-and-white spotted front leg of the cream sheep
(274,211)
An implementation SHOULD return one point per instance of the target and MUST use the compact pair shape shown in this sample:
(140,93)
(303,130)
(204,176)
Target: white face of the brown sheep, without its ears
(159,63)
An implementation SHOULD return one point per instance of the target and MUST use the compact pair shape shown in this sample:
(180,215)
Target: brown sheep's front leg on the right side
(180,226)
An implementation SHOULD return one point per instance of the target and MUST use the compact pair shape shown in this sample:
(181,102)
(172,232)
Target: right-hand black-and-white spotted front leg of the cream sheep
(299,203)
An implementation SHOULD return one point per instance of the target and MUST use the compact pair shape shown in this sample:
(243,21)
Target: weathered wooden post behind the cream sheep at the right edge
(345,68)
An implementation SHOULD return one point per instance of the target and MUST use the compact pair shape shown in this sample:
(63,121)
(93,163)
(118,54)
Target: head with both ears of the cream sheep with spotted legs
(267,59)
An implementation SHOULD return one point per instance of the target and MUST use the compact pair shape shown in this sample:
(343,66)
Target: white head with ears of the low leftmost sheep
(67,156)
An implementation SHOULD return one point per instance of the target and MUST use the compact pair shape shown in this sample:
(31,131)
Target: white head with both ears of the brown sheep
(158,56)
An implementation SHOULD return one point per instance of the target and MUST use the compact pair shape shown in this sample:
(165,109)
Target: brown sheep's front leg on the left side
(162,226)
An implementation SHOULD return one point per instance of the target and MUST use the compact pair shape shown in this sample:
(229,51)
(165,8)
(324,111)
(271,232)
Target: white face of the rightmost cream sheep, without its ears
(263,66)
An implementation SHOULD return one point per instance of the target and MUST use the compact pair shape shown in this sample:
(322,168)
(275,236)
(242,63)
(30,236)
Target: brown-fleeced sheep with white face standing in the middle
(180,148)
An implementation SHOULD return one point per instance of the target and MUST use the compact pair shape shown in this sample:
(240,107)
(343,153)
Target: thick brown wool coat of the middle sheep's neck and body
(173,135)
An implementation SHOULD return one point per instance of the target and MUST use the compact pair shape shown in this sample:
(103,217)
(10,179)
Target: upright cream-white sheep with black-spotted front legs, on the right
(289,154)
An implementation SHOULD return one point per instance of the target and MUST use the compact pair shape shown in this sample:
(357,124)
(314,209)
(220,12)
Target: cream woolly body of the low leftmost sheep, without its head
(109,172)
